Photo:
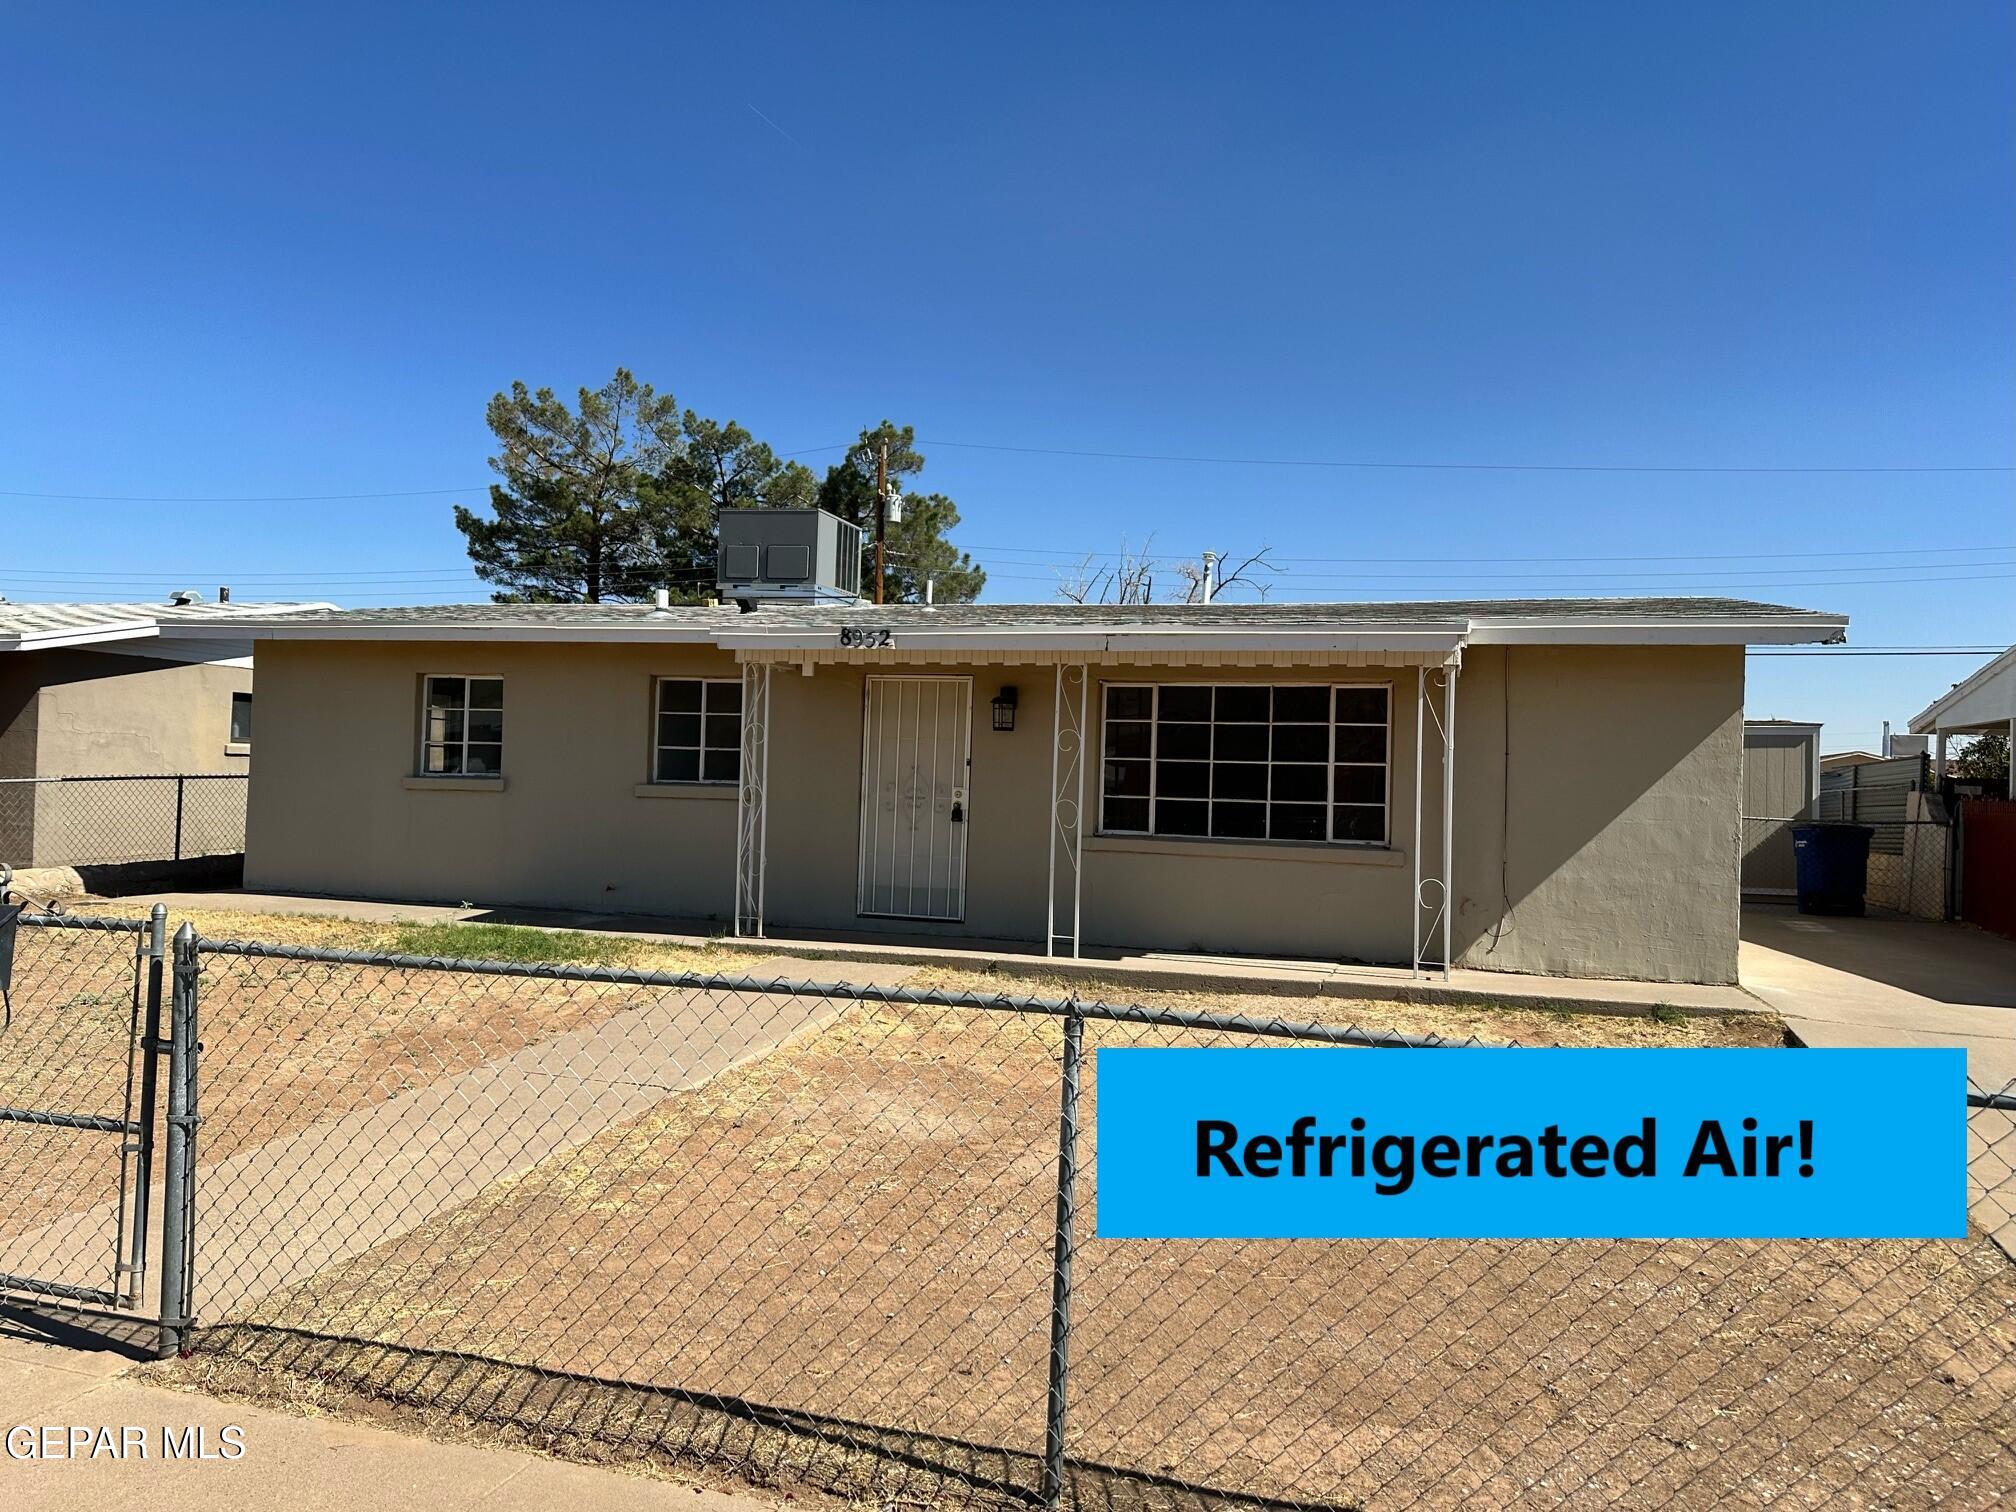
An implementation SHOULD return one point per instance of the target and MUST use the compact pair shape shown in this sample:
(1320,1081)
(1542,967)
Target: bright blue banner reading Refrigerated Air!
(1531,1144)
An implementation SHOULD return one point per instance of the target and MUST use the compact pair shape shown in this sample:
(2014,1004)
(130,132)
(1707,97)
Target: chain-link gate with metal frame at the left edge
(82,1057)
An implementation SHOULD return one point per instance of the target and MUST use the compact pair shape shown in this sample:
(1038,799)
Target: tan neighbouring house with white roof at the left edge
(116,688)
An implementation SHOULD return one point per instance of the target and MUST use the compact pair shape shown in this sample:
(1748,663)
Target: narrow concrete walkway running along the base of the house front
(1148,969)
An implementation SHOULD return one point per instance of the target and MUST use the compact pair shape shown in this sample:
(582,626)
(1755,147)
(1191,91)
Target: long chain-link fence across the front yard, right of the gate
(848,1235)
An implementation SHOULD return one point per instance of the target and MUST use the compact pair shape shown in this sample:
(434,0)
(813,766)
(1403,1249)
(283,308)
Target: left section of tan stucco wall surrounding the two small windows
(336,809)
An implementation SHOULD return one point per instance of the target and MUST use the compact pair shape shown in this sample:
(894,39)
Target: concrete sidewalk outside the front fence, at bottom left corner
(305,1465)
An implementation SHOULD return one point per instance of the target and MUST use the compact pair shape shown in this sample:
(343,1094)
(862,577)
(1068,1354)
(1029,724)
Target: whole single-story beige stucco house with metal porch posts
(1531,785)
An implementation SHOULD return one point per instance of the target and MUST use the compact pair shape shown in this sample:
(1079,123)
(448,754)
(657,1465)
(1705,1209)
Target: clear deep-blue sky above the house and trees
(267,251)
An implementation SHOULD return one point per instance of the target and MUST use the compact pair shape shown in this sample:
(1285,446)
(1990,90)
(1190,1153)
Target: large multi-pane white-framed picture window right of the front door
(1247,761)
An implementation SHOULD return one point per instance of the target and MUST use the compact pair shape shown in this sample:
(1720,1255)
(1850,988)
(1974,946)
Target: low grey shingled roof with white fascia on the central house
(1067,626)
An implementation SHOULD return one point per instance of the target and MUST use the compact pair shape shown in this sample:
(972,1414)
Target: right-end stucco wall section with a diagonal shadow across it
(1600,795)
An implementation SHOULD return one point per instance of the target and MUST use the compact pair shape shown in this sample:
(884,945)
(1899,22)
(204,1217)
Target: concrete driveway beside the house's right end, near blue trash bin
(1904,983)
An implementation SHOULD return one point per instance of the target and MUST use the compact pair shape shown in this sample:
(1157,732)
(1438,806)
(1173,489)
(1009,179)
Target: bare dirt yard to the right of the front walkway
(856,1231)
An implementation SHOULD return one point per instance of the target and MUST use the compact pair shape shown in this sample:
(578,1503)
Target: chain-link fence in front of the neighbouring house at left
(90,822)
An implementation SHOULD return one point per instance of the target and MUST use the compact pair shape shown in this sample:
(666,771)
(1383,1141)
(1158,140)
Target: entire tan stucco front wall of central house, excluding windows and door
(1596,805)
